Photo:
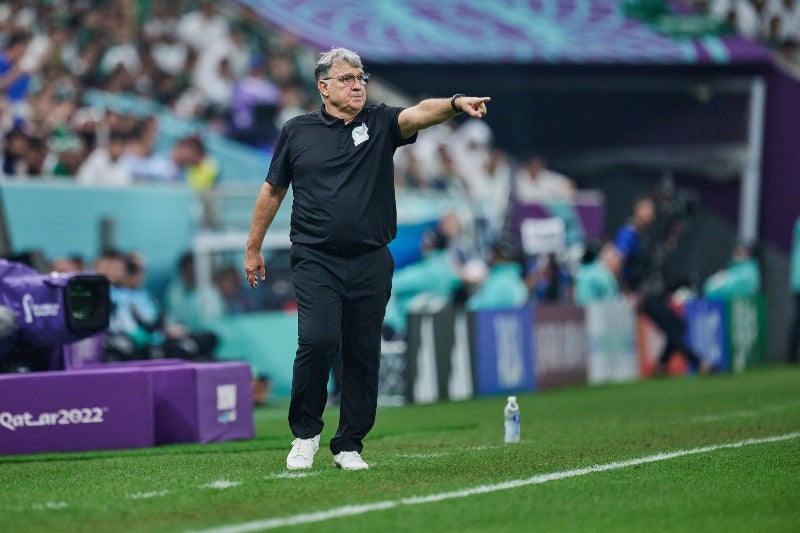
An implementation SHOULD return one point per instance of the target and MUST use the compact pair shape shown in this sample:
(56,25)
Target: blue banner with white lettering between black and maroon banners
(502,342)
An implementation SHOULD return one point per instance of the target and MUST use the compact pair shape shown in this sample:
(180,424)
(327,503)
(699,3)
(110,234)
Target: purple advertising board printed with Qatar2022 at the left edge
(76,411)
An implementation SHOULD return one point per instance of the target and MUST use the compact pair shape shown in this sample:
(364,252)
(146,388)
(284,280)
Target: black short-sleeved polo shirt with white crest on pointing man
(342,178)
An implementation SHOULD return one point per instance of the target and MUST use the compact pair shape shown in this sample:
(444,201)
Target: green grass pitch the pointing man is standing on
(443,467)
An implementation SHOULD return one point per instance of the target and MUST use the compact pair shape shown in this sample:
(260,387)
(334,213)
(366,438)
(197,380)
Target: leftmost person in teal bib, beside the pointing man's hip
(431,281)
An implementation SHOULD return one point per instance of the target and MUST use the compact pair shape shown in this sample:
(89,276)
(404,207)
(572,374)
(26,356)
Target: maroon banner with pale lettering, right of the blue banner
(561,345)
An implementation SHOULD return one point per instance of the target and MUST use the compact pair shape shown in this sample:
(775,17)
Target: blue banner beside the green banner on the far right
(705,331)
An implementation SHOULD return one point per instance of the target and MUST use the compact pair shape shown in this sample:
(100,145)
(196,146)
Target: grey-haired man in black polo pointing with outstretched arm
(339,163)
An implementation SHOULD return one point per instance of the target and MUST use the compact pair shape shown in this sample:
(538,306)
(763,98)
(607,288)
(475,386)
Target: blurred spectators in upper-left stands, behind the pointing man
(215,63)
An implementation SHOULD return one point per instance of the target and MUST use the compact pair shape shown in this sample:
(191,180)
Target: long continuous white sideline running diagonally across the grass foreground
(350,510)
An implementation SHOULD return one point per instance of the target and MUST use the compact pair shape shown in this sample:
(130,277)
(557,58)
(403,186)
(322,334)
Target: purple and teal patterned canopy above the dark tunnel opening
(505,31)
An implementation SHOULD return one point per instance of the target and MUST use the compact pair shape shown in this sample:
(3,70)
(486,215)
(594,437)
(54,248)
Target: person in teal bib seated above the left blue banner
(504,287)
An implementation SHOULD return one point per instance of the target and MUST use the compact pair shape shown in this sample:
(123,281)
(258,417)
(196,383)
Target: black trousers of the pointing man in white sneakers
(341,301)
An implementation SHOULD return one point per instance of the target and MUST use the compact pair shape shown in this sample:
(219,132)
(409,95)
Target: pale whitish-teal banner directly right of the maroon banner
(611,328)
